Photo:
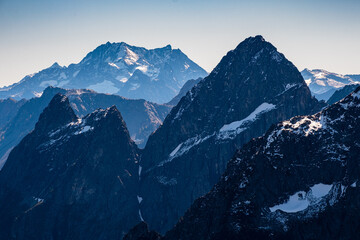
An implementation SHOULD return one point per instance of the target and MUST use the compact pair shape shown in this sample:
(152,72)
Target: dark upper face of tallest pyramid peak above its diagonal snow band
(254,72)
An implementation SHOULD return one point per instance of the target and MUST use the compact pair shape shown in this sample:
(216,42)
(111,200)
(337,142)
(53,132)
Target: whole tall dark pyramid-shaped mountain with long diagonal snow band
(252,87)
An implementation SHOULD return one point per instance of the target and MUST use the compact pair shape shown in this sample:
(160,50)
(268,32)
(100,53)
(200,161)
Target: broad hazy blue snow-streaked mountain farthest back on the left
(156,75)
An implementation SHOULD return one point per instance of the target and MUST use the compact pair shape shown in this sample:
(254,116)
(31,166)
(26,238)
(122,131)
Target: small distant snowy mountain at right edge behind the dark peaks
(323,83)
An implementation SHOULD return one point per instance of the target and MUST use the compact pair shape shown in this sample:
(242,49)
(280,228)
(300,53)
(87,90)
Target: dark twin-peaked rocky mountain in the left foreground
(71,178)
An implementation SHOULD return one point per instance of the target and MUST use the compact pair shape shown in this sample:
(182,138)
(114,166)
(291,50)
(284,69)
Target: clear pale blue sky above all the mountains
(314,34)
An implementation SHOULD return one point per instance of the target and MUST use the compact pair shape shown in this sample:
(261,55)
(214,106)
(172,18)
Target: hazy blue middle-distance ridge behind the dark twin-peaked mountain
(142,117)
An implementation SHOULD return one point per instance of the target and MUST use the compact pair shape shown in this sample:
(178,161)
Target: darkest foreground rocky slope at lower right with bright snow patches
(299,181)
